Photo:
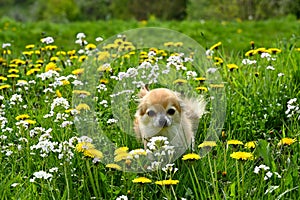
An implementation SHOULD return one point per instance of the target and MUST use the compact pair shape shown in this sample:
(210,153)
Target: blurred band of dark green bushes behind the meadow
(83,10)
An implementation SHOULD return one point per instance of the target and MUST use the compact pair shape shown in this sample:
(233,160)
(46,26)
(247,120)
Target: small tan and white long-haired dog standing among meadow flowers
(163,112)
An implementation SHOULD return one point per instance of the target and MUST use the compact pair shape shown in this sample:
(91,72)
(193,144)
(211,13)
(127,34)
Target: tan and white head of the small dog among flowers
(159,109)
